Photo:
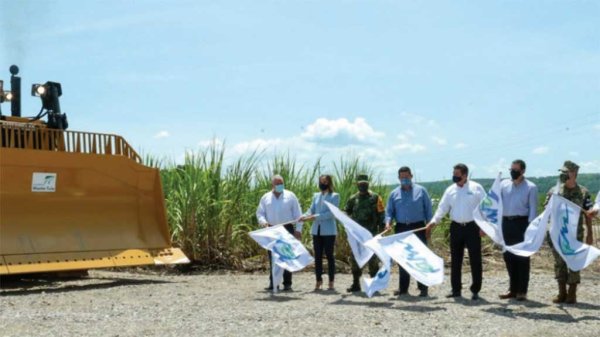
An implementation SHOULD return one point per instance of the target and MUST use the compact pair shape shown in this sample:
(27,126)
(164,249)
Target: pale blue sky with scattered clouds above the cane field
(424,84)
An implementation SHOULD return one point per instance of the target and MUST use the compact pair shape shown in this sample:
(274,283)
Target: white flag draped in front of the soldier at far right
(564,219)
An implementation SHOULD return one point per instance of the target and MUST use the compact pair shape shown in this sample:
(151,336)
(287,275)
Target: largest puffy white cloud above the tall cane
(341,131)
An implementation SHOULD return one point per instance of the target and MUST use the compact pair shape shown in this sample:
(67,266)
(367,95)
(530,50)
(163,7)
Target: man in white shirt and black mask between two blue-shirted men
(461,199)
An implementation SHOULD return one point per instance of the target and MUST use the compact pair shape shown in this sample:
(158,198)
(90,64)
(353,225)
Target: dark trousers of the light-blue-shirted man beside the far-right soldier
(513,230)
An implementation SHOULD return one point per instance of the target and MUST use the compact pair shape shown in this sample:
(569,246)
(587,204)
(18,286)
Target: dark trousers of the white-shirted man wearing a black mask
(462,236)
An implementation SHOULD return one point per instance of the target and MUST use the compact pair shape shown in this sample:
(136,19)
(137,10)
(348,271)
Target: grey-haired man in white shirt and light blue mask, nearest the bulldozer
(276,207)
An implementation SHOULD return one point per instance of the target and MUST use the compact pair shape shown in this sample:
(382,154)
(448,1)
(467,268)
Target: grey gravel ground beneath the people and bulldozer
(228,304)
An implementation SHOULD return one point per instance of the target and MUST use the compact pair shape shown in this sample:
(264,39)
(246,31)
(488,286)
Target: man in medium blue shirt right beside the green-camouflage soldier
(409,206)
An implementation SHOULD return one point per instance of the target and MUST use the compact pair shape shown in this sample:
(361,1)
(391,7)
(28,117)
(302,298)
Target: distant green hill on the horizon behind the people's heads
(589,180)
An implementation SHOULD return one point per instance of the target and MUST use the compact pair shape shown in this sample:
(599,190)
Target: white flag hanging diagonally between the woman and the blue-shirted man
(357,236)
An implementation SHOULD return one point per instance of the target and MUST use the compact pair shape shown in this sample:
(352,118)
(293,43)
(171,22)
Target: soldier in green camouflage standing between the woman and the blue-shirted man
(366,208)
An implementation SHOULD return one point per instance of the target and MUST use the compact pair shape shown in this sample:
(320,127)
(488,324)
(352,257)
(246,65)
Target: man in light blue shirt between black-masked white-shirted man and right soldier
(519,208)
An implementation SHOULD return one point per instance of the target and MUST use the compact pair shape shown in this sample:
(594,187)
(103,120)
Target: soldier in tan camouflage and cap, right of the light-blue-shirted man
(569,189)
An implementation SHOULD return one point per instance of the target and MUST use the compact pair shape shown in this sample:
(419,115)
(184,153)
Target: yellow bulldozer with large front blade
(72,200)
